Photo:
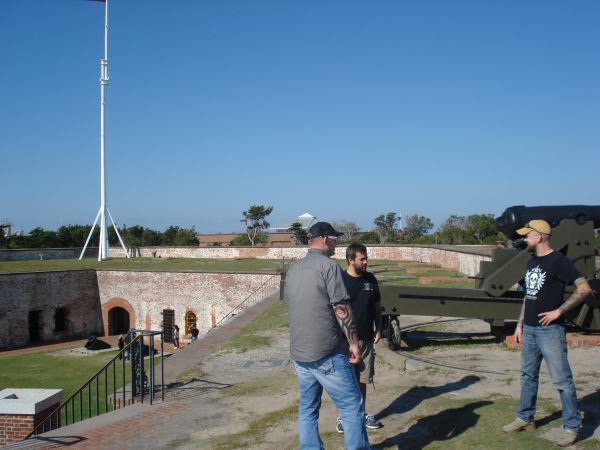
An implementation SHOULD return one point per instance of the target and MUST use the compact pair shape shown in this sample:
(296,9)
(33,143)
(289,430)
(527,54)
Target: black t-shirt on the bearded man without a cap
(364,292)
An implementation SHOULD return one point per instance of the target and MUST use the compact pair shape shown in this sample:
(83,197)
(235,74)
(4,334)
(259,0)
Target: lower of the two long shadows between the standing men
(442,426)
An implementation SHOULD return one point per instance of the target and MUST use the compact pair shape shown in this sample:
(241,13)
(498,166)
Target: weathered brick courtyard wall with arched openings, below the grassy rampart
(89,295)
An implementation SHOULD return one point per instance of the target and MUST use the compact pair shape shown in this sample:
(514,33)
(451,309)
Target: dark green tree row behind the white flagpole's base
(73,236)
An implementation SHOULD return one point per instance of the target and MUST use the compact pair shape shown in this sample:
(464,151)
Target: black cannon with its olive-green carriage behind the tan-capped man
(496,297)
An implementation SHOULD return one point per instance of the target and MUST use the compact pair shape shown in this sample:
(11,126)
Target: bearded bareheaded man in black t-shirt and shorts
(365,301)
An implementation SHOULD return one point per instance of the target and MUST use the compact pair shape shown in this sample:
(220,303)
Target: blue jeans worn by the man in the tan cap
(549,343)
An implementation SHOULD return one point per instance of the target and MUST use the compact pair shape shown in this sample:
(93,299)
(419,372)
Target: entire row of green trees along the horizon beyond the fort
(415,229)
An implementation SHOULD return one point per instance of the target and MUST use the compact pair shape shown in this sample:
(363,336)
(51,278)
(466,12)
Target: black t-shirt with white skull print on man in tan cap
(545,282)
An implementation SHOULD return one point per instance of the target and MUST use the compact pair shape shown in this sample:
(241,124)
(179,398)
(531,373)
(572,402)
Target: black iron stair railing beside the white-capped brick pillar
(121,382)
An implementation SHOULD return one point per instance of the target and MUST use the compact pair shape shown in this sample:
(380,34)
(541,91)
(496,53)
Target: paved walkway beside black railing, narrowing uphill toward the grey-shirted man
(134,426)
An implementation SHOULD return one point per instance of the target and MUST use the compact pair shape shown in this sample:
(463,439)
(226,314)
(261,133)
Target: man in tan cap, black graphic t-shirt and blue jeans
(540,332)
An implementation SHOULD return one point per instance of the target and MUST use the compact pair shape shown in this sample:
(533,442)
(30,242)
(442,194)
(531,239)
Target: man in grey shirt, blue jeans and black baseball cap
(319,313)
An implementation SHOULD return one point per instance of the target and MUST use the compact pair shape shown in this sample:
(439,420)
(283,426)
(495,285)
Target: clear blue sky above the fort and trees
(344,109)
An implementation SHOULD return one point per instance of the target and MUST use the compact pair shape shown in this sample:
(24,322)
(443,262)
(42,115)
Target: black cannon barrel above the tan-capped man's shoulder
(516,217)
